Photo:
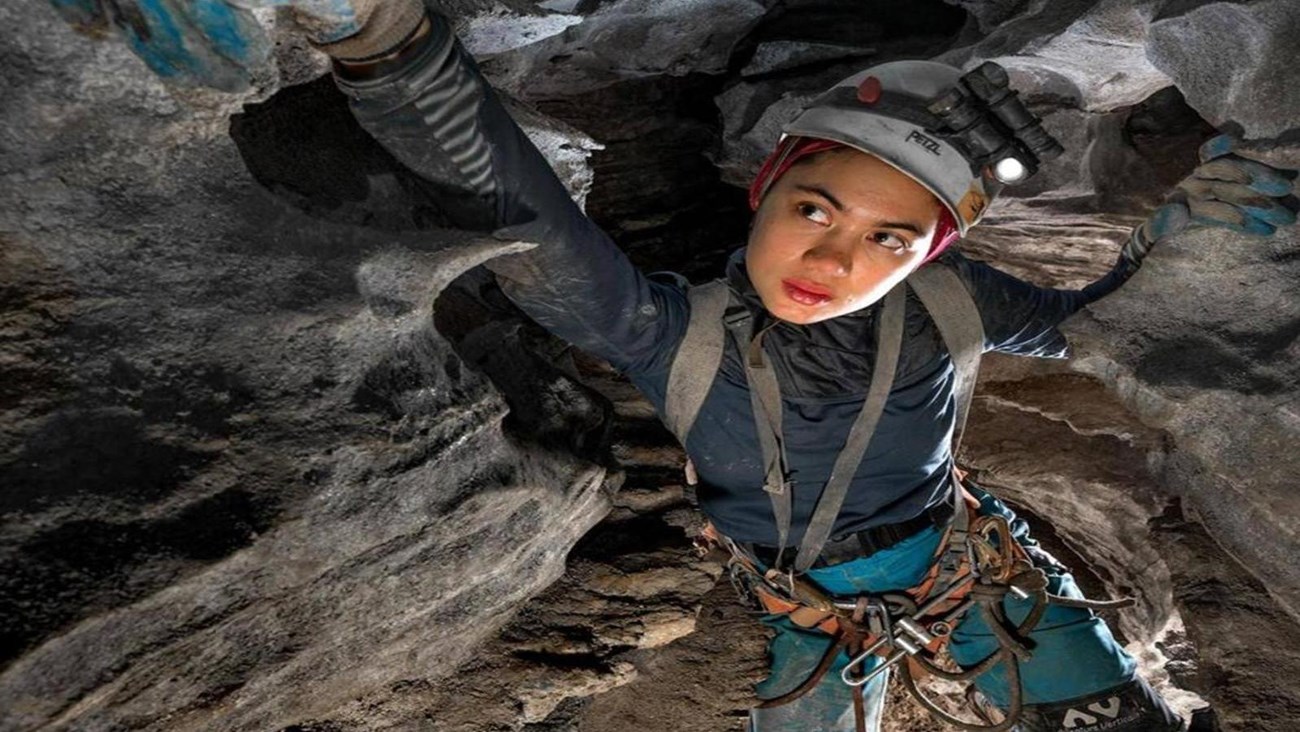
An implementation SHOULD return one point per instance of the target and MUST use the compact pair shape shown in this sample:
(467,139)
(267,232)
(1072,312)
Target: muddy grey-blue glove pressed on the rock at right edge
(1227,192)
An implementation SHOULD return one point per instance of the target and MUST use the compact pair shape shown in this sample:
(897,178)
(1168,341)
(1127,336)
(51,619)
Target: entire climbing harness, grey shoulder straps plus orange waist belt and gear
(978,564)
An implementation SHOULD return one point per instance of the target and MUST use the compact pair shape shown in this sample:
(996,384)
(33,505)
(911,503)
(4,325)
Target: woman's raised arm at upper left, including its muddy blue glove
(422,97)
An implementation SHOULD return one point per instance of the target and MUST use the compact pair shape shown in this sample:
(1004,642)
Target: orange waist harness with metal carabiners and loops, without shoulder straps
(909,630)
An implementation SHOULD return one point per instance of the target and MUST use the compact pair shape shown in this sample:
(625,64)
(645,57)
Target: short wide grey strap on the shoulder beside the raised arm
(699,358)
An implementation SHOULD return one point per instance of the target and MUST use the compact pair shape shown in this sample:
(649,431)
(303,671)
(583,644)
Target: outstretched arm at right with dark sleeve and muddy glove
(1225,192)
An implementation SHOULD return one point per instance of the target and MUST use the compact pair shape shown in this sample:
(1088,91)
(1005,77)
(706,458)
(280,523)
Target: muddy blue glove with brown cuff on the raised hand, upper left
(220,45)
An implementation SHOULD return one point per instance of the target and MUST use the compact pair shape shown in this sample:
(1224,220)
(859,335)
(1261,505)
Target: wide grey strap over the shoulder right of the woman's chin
(957,318)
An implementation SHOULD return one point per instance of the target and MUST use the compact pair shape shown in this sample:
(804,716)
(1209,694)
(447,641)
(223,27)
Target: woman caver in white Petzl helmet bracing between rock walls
(863,192)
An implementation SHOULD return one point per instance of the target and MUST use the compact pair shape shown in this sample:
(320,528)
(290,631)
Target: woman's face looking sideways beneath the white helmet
(835,233)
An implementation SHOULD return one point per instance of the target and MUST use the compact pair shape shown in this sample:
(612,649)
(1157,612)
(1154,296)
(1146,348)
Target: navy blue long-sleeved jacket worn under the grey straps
(443,122)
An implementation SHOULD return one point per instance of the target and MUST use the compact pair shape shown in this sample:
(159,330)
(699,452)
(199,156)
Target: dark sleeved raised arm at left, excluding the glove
(439,116)
